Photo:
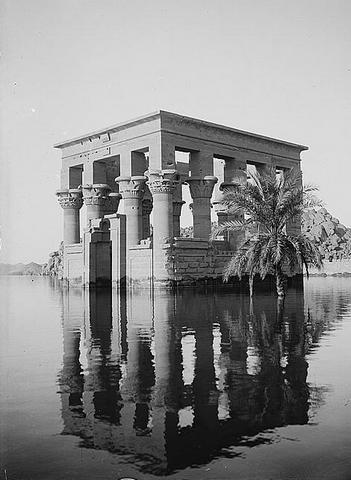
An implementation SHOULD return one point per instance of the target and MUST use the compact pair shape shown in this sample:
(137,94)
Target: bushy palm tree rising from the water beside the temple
(269,203)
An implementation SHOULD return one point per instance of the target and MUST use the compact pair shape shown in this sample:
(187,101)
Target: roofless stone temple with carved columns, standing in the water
(129,179)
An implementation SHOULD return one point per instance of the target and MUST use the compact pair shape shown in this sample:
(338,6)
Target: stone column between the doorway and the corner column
(132,190)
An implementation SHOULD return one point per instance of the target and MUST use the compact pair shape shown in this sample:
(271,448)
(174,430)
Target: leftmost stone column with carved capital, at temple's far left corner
(71,202)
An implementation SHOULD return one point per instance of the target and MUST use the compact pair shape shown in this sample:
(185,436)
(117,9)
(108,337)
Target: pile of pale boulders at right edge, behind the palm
(331,236)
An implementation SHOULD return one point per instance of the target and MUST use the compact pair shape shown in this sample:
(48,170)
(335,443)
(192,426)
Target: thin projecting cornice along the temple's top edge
(159,114)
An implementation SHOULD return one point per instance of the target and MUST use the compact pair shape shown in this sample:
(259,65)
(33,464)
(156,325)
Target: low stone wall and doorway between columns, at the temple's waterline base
(103,259)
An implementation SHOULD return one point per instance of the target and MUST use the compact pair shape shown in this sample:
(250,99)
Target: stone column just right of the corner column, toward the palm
(201,192)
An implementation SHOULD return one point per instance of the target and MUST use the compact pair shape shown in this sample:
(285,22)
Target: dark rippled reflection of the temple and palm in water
(172,381)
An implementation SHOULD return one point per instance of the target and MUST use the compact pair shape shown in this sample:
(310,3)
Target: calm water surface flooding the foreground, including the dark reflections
(186,386)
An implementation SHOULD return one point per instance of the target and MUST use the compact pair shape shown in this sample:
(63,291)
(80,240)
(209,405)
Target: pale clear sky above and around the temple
(274,67)
